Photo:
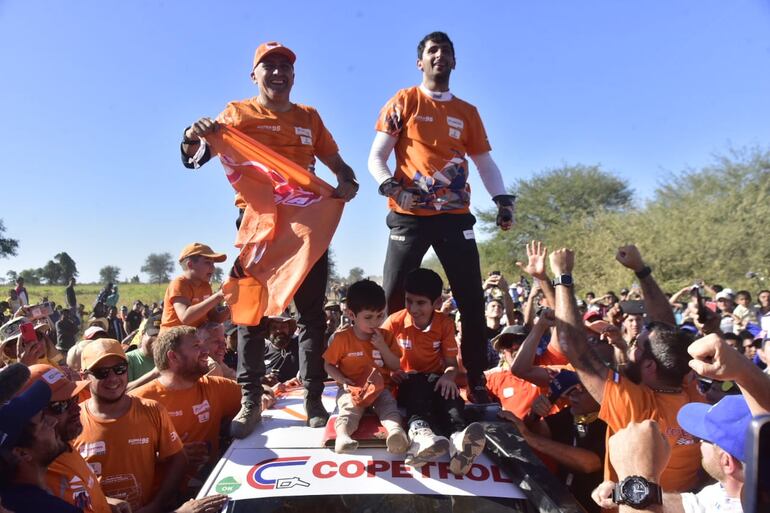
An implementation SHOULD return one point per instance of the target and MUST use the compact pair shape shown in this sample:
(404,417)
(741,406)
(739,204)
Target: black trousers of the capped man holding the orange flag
(309,300)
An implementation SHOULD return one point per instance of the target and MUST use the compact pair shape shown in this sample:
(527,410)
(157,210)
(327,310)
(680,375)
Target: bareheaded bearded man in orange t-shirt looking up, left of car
(197,403)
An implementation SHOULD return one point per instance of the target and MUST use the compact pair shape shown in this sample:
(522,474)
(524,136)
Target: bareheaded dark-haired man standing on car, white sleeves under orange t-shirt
(432,133)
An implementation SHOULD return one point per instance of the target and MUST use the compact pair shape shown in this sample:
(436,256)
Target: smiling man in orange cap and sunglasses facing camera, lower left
(126,439)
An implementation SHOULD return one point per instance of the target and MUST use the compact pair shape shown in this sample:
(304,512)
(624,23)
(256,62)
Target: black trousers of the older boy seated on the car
(417,395)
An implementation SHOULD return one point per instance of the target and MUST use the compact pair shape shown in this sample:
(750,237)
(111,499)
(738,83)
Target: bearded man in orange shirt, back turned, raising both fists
(652,387)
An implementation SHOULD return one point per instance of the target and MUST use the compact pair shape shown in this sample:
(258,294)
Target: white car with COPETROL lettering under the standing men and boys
(285,466)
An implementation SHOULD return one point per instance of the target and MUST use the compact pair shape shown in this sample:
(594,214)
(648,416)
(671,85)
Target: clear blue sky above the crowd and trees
(94,97)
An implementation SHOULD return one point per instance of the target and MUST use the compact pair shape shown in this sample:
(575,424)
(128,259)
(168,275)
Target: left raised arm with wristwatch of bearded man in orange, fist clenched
(570,331)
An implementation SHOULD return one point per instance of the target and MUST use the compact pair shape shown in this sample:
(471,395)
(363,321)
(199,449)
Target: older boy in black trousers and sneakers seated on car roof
(427,387)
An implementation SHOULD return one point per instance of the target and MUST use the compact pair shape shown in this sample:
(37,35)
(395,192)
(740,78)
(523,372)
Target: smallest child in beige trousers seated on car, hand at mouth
(353,353)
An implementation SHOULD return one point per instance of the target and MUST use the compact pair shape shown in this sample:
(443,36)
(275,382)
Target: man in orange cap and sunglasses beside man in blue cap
(69,476)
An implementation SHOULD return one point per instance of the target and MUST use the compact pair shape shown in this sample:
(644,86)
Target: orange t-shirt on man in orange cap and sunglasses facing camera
(124,453)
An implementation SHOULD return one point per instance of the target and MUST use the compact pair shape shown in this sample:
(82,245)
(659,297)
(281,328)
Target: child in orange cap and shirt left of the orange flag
(189,300)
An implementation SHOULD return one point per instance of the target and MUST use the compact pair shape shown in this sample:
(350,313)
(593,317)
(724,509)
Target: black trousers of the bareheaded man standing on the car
(451,236)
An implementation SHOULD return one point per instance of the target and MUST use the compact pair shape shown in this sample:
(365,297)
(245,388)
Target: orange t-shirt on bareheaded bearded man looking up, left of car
(197,411)
